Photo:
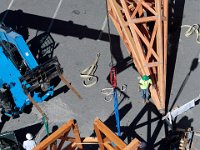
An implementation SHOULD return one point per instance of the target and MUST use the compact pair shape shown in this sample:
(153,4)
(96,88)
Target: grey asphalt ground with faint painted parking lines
(76,28)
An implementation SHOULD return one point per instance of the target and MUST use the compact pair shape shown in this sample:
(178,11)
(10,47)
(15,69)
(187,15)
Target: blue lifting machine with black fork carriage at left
(22,80)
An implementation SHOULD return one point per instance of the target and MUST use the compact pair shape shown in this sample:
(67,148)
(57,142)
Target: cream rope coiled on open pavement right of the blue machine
(89,79)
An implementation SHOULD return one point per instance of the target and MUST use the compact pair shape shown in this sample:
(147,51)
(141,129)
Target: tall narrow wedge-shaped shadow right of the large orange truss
(176,9)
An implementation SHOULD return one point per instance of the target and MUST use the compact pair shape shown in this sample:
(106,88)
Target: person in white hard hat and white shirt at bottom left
(29,144)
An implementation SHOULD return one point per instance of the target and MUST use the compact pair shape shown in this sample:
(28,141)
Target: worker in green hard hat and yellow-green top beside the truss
(144,84)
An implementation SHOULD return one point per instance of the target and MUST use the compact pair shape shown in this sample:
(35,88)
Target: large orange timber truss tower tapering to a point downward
(143,27)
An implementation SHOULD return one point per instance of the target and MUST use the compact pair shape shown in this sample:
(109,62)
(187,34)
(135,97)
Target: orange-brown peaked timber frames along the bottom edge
(105,138)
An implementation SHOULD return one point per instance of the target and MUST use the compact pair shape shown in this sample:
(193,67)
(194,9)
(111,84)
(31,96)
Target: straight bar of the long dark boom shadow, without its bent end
(18,18)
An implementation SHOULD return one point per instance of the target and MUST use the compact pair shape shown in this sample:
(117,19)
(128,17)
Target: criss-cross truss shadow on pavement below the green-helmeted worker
(128,132)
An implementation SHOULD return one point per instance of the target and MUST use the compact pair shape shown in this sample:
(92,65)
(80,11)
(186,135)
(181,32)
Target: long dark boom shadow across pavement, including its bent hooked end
(65,28)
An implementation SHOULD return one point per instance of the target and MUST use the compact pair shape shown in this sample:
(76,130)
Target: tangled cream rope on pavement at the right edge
(195,28)
